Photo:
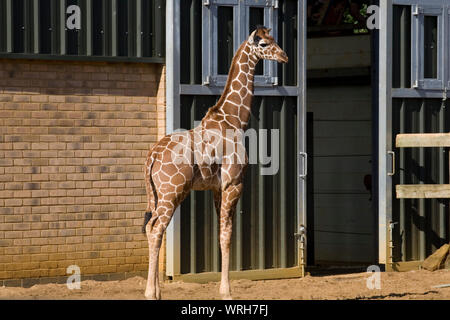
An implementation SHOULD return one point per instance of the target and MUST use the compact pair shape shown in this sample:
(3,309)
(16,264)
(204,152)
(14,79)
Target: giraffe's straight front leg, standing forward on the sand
(230,197)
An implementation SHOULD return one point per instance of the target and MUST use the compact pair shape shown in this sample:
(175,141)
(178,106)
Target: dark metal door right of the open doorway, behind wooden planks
(414,80)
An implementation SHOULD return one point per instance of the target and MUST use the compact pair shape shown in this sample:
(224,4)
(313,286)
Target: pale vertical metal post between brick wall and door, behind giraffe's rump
(173,242)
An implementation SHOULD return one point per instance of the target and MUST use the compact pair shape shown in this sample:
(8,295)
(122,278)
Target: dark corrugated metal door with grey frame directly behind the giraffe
(271,214)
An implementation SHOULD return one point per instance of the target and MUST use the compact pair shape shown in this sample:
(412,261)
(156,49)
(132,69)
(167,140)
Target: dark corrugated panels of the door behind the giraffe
(265,220)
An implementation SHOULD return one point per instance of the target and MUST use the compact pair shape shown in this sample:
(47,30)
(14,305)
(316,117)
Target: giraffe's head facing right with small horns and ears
(263,46)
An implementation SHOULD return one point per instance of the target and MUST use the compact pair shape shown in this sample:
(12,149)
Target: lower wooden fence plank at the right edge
(423,191)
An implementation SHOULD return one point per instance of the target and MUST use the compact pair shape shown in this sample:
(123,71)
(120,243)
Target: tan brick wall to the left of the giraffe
(73,140)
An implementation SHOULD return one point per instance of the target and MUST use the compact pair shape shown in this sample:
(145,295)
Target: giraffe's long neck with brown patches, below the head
(236,99)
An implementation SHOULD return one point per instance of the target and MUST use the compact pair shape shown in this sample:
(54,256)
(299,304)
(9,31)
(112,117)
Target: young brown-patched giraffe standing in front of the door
(200,161)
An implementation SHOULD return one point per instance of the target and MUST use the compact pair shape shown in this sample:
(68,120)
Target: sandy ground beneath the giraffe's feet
(394,285)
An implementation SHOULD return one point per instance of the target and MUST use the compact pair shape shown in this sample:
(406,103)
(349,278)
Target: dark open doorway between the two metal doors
(341,220)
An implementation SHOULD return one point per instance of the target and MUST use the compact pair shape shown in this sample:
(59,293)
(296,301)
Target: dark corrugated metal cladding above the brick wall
(109,29)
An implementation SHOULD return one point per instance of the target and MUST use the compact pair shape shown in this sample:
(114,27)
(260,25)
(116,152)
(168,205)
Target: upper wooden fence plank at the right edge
(423,140)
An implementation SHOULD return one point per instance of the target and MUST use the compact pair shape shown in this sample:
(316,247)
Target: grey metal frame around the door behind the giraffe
(173,91)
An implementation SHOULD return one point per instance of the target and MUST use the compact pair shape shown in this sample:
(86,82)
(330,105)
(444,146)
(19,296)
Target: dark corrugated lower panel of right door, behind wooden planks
(423,224)
